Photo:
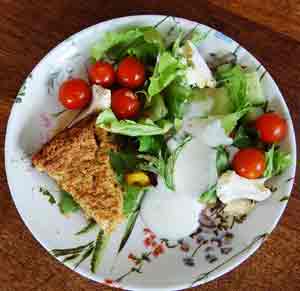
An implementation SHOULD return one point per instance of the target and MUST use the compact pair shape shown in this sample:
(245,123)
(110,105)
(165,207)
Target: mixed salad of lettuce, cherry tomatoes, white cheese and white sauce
(193,133)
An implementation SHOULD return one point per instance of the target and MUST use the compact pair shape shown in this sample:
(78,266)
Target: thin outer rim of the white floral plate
(241,258)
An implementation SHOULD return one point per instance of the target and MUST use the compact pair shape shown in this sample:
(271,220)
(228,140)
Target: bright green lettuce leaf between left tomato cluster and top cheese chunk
(166,70)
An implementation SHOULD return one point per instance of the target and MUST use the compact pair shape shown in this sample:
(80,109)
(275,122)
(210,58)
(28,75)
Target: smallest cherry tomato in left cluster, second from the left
(102,73)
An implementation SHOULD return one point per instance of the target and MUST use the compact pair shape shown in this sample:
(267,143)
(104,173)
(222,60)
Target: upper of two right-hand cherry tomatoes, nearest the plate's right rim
(271,127)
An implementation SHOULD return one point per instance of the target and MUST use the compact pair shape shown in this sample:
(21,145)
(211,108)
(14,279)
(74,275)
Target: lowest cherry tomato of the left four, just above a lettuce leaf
(125,104)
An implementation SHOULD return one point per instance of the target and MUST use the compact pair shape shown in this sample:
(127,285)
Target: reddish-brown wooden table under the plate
(270,29)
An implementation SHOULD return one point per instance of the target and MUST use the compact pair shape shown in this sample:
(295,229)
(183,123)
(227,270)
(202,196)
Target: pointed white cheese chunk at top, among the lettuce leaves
(198,73)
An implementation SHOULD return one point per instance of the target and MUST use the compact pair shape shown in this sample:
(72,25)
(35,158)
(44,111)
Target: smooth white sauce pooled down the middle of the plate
(174,214)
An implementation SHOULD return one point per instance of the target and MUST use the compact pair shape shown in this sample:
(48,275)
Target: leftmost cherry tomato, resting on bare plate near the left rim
(74,94)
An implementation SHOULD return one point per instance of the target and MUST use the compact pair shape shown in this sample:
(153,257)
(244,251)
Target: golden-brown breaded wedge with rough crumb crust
(77,159)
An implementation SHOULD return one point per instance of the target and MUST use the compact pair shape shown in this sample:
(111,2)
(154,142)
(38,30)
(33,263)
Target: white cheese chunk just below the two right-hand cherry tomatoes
(231,186)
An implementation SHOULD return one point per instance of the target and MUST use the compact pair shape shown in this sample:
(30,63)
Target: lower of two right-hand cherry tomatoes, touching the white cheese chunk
(249,163)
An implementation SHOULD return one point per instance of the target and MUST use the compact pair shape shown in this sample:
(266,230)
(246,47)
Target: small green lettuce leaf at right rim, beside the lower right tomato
(277,161)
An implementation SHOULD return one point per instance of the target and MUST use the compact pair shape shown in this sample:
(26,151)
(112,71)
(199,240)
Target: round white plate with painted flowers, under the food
(29,126)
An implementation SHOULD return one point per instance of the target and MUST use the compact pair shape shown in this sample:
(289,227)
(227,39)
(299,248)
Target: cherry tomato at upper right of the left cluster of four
(131,73)
